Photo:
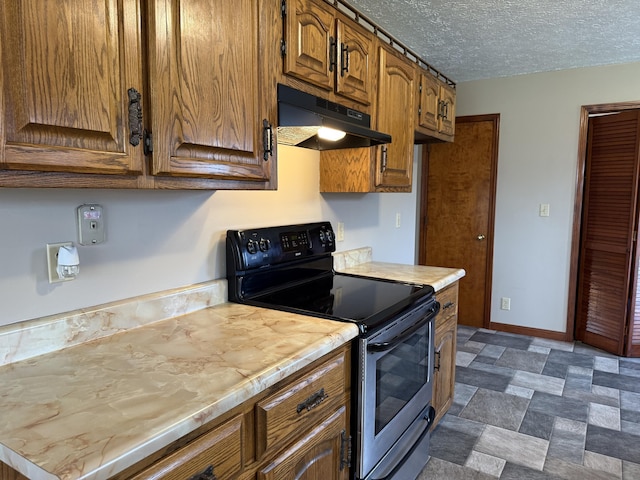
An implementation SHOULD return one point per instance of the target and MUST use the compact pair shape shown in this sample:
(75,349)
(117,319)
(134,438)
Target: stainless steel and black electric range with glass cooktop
(290,268)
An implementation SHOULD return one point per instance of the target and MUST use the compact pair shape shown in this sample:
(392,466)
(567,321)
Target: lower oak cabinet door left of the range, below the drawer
(317,455)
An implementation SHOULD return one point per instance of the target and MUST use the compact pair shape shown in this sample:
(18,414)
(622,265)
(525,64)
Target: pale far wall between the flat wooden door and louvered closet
(539,123)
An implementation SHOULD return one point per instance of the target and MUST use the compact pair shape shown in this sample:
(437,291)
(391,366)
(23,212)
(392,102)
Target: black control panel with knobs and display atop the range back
(255,248)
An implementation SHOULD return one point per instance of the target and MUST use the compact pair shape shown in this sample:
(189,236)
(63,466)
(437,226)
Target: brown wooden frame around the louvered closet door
(574,262)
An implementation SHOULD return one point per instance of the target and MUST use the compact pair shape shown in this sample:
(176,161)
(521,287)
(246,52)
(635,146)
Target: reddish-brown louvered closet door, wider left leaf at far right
(608,226)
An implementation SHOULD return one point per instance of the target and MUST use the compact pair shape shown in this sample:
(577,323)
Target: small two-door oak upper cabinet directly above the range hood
(326,50)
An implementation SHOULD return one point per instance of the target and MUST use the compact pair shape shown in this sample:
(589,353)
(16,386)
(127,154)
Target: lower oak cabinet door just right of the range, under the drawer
(444,378)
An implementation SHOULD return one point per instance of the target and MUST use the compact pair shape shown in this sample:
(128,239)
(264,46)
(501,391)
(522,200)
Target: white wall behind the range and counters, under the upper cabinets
(158,240)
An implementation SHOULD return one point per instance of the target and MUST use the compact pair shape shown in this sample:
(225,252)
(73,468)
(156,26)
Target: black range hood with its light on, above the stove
(301,116)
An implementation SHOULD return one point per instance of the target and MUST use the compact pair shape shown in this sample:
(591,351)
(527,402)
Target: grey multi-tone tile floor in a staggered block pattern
(527,408)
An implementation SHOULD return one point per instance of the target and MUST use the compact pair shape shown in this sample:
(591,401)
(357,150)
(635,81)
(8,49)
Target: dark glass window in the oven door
(400,373)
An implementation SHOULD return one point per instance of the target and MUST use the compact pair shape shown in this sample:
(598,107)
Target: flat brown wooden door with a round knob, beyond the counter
(457,217)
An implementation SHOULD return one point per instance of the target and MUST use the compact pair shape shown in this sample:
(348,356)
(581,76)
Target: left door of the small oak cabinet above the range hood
(310,47)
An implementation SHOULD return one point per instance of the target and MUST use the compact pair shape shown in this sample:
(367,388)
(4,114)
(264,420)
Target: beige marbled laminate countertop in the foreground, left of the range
(90,411)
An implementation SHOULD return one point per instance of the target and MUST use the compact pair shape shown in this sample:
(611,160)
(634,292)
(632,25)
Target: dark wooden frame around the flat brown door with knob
(424,177)
